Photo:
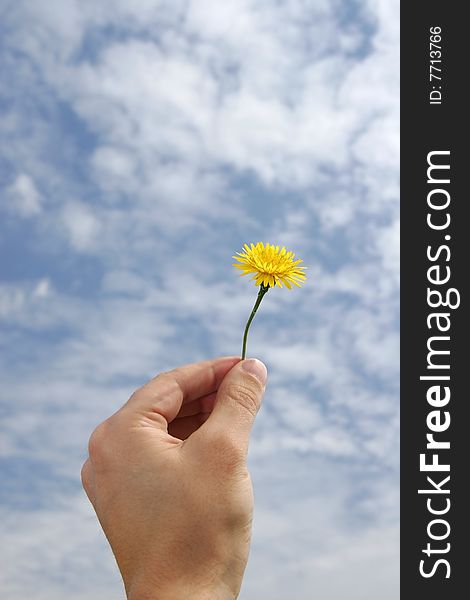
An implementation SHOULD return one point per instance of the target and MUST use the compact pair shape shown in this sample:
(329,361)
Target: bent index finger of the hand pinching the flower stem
(165,393)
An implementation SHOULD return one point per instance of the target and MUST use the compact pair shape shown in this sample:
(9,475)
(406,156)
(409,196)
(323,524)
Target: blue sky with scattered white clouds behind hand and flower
(142,143)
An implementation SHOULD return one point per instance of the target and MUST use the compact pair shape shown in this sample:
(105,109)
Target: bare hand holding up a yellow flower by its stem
(168,480)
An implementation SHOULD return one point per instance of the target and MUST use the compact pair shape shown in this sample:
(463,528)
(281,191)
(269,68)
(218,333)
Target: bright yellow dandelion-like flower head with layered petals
(271,265)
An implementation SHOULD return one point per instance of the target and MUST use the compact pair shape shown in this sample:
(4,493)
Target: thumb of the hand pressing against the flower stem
(237,403)
